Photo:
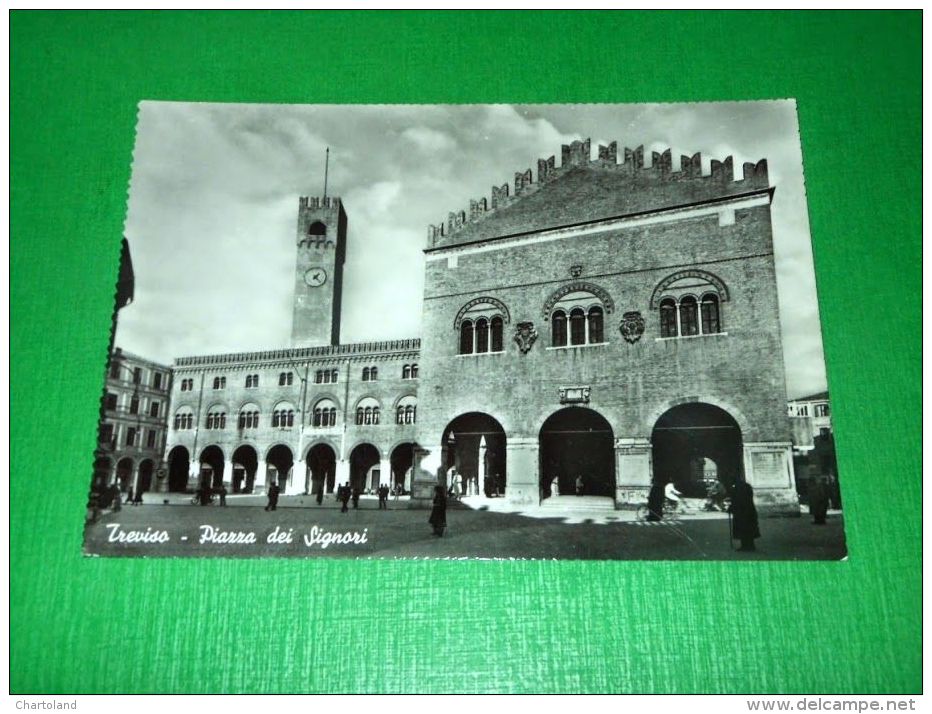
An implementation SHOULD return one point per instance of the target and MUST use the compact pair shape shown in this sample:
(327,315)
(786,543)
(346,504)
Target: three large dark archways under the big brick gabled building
(692,444)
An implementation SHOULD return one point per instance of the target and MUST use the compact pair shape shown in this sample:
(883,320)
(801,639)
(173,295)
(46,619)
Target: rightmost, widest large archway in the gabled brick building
(695,444)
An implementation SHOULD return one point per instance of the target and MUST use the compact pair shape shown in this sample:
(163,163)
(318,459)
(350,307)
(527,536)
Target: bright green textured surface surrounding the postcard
(97,625)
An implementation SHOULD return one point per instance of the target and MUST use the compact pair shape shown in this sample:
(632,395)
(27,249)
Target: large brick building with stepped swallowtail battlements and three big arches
(608,321)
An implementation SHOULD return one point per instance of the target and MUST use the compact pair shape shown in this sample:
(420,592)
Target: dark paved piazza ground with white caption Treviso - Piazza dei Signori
(479,528)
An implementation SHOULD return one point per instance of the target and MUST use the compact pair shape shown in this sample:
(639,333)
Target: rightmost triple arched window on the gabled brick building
(690,304)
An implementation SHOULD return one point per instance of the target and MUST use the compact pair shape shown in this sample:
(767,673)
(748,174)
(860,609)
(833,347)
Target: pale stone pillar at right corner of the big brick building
(768,467)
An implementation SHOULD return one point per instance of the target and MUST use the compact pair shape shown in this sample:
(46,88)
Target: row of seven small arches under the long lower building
(364,472)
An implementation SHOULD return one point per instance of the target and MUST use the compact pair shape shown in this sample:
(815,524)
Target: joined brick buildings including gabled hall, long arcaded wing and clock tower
(600,318)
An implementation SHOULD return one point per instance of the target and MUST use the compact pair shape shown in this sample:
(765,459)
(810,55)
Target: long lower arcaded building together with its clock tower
(310,416)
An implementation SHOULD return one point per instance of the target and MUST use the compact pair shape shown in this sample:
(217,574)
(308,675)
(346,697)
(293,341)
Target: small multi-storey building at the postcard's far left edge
(133,428)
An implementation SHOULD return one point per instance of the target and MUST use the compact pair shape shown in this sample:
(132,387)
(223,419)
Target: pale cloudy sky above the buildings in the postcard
(214,194)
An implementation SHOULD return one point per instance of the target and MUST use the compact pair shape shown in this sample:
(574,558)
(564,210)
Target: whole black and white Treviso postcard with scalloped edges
(483,331)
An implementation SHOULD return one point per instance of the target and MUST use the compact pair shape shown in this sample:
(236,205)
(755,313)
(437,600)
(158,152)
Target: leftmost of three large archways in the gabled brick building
(475,444)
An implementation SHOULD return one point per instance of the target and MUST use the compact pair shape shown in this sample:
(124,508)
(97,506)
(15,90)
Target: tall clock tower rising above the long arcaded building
(318,290)
